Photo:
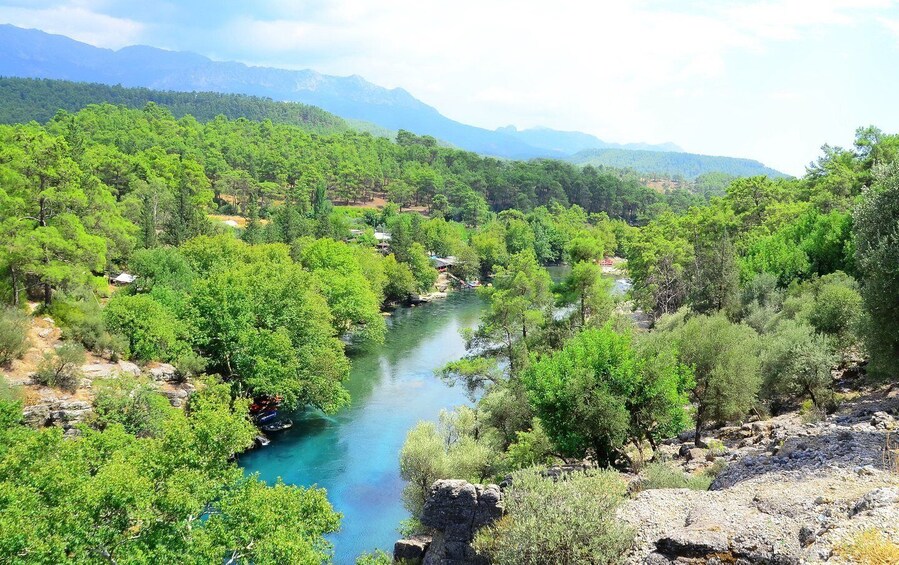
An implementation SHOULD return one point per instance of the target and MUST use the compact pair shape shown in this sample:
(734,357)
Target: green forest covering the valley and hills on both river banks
(753,296)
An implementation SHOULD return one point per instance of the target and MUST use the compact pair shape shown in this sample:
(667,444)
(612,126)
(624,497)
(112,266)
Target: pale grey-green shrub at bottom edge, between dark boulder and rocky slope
(570,521)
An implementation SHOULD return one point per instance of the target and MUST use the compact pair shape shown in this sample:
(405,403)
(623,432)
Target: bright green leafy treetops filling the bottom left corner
(176,496)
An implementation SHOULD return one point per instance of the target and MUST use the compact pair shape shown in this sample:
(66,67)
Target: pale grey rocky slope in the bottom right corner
(791,492)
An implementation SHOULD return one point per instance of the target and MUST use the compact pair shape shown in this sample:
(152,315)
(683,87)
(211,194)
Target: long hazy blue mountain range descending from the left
(36,54)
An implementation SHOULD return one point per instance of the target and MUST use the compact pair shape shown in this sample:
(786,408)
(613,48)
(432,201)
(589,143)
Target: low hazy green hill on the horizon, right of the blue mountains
(688,165)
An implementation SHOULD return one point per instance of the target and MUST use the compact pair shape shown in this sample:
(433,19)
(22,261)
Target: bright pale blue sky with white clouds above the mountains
(769,80)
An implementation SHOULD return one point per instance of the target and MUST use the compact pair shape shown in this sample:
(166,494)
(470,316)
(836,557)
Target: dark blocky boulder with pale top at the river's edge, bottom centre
(455,510)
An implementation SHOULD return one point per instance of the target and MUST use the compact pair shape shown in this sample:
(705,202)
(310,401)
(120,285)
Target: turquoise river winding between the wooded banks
(354,453)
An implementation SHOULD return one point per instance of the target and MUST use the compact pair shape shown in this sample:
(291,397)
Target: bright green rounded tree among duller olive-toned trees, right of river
(597,394)
